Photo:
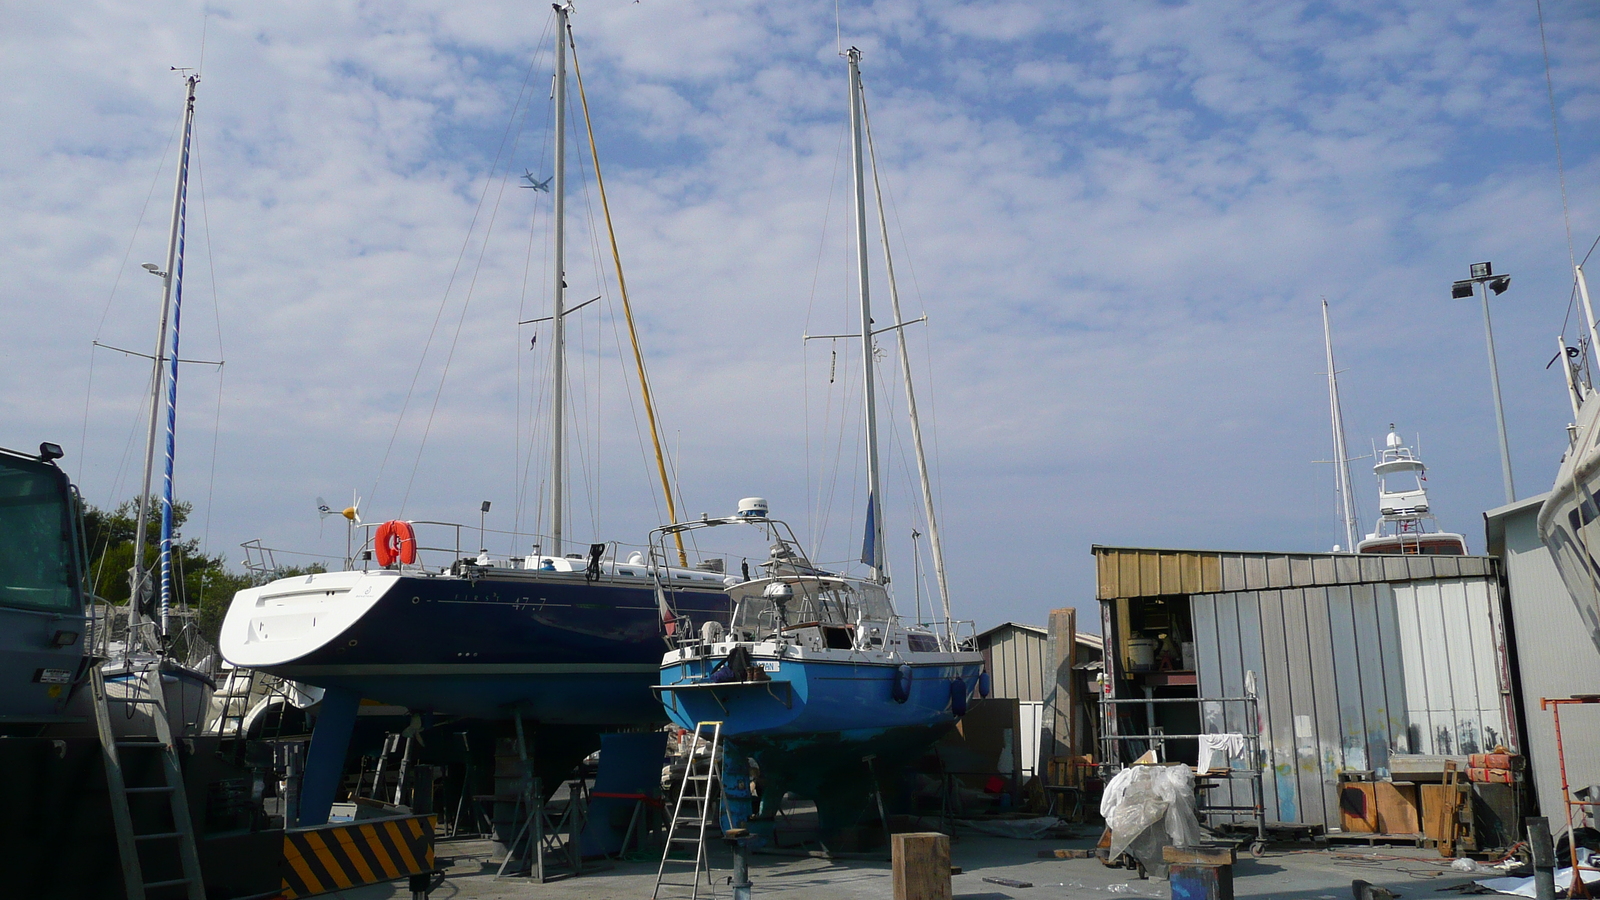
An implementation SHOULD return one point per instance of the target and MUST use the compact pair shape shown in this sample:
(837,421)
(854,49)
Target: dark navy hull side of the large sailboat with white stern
(583,654)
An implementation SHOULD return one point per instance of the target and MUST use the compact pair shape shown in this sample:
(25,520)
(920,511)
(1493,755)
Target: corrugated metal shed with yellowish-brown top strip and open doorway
(1358,659)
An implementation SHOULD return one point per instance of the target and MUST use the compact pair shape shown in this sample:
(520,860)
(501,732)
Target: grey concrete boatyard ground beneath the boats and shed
(1286,874)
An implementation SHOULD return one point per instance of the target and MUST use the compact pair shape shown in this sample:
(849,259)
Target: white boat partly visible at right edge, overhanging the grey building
(1567,521)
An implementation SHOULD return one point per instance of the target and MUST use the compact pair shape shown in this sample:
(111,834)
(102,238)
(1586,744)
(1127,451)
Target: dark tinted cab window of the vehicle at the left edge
(36,539)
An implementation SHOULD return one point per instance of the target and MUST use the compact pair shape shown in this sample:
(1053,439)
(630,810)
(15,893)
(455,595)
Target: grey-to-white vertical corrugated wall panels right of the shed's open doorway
(1348,677)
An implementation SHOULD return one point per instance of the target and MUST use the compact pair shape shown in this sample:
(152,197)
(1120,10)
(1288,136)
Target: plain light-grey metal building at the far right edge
(1548,629)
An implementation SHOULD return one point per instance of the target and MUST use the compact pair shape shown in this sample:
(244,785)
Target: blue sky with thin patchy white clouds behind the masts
(1118,220)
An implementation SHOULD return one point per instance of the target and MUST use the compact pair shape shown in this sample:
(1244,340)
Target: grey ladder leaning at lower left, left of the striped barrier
(177,843)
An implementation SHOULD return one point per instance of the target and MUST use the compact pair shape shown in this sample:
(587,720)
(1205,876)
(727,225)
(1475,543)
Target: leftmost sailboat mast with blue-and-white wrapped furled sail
(138,581)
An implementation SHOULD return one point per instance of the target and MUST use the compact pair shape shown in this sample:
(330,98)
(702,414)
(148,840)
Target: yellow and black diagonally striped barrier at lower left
(338,858)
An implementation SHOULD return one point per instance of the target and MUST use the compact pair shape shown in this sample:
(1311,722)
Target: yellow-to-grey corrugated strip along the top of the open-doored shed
(1145,573)
